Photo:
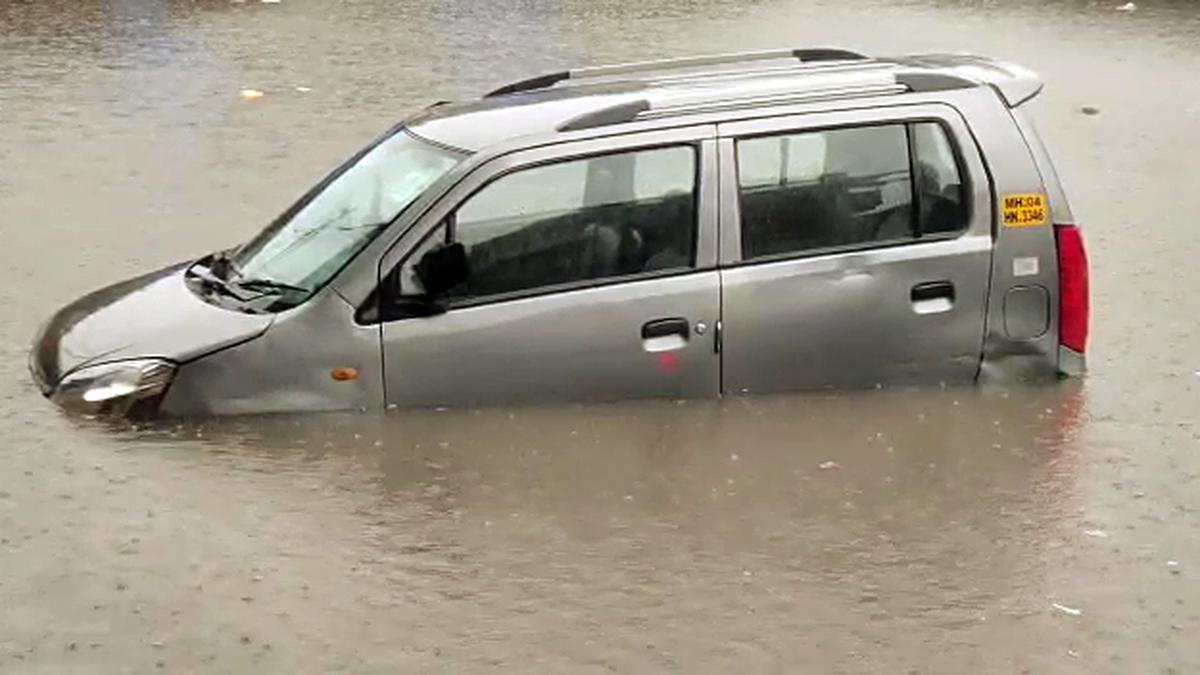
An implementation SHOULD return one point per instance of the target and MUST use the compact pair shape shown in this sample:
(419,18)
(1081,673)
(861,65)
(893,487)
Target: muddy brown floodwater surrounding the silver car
(1000,530)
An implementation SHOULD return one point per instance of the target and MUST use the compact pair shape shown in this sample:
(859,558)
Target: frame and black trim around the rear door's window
(949,118)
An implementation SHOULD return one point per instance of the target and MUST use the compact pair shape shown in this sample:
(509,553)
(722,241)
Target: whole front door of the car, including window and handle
(591,274)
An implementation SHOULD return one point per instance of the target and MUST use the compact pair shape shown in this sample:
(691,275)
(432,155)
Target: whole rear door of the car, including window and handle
(856,249)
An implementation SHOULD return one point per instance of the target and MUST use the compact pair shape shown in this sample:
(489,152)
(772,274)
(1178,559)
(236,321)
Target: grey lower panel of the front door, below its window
(573,347)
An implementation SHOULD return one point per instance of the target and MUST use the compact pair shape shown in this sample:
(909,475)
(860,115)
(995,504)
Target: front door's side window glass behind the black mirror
(575,222)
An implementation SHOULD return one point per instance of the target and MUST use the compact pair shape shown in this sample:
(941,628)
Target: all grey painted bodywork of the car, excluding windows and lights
(842,319)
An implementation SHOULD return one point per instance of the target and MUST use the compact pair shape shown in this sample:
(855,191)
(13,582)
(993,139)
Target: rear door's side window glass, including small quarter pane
(848,188)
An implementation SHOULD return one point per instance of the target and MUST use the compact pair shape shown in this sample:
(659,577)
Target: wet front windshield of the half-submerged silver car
(307,248)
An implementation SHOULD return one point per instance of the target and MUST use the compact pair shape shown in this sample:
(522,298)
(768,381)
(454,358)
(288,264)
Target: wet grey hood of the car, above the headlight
(154,315)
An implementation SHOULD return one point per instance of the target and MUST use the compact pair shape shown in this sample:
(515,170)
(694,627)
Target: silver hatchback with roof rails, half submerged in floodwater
(763,222)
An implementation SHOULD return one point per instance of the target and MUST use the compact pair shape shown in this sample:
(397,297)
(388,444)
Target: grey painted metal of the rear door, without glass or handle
(848,319)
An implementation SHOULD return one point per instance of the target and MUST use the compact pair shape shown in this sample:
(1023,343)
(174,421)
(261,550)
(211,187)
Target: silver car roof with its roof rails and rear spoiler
(677,88)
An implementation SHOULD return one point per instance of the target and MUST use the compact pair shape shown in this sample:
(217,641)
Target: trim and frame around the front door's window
(701,147)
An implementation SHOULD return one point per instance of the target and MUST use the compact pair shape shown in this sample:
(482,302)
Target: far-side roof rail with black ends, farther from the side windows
(803,56)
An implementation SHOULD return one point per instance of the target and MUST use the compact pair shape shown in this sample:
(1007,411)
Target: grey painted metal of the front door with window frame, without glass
(580,344)
